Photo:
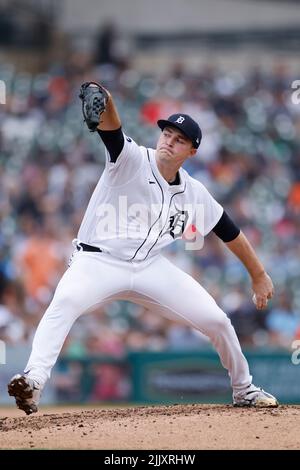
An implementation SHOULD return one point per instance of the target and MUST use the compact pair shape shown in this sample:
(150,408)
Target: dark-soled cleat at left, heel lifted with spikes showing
(27,393)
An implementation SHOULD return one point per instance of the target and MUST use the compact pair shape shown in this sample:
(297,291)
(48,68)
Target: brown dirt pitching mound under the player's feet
(179,427)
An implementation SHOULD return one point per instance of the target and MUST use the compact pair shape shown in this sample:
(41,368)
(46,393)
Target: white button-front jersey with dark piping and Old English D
(134,212)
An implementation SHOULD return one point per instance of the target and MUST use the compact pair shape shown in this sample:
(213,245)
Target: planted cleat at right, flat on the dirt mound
(254,396)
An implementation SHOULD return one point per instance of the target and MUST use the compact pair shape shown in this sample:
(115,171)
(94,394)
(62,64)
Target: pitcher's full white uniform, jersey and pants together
(132,215)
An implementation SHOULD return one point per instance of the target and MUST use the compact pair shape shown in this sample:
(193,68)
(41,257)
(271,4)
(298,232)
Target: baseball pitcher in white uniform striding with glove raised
(143,201)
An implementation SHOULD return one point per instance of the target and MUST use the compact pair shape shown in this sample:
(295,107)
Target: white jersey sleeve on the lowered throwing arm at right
(209,211)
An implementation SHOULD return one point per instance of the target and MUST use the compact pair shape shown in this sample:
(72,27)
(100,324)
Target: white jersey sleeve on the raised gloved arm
(126,165)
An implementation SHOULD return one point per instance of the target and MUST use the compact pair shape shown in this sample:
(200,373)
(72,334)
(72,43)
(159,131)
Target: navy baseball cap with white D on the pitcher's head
(185,124)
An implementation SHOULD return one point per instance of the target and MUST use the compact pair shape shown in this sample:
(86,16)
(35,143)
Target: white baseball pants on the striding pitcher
(94,279)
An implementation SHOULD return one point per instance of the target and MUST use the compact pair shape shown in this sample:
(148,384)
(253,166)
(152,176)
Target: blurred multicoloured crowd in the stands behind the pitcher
(49,164)
